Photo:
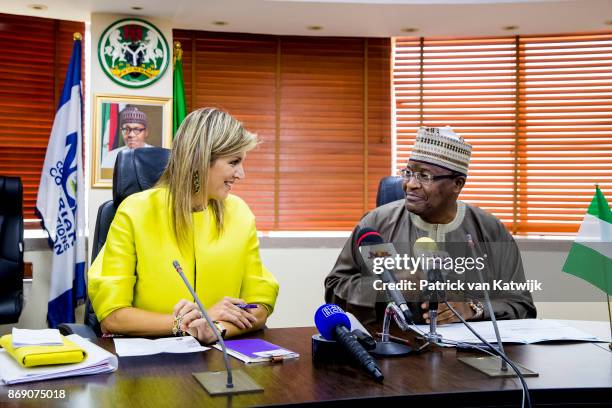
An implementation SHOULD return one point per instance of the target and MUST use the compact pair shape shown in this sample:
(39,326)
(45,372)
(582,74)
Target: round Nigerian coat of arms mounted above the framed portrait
(133,53)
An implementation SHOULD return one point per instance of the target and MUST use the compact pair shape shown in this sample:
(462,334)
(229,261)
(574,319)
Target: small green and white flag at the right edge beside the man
(590,257)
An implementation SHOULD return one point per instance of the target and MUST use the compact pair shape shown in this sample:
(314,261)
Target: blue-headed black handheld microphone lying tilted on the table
(334,324)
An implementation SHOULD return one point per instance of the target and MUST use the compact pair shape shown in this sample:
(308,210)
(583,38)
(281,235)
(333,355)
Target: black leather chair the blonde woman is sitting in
(135,170)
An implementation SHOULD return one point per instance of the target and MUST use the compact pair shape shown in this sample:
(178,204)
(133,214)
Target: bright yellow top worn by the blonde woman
(134,268)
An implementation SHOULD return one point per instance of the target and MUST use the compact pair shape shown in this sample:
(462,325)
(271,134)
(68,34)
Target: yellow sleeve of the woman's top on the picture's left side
(113,274)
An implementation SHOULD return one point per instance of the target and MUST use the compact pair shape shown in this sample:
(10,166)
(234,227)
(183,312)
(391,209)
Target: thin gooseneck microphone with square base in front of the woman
(219,382)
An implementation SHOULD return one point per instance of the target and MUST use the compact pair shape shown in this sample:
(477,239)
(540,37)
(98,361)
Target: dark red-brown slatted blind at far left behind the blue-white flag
(34,57)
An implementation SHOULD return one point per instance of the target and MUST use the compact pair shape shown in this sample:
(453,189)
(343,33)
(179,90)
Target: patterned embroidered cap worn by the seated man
(442,147)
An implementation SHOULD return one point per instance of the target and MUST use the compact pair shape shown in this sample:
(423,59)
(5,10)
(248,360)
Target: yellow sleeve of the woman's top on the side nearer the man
(259,285)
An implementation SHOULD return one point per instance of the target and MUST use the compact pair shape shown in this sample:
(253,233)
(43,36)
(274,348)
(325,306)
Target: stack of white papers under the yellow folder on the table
(97,361)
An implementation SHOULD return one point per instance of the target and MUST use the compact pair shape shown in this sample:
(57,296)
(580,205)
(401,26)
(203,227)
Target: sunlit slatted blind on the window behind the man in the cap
(537,111)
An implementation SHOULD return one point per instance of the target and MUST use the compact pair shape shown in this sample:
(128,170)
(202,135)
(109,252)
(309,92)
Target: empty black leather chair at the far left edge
(11,249)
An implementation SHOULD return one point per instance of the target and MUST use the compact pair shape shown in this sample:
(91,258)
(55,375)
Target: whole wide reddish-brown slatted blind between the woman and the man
(321,107)
